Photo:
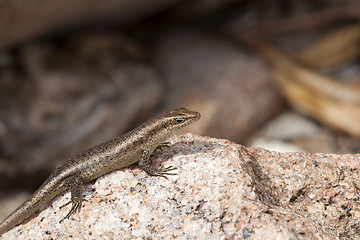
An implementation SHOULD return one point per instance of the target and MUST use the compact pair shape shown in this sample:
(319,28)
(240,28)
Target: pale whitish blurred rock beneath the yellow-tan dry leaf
(293,132)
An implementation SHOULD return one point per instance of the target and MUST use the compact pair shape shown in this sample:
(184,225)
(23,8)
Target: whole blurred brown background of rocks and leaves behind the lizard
(282,74)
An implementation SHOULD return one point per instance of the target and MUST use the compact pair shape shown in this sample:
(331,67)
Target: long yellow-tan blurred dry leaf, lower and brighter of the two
(334,103)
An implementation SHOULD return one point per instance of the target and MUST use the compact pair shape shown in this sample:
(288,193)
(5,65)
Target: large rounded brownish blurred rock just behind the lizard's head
(228,86)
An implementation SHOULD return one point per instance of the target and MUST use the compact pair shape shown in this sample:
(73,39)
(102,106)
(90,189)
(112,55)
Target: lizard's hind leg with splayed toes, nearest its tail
(76,199)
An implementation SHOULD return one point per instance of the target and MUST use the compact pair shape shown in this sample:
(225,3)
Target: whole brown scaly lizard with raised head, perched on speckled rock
(134,146)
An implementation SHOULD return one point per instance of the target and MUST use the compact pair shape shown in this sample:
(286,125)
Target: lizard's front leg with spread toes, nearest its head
(145,164)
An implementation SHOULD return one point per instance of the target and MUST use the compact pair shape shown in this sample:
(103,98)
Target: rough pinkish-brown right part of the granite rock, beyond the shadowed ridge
(323,188)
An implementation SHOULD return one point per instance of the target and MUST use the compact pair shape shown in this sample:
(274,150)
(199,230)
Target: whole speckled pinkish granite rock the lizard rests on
(222,191)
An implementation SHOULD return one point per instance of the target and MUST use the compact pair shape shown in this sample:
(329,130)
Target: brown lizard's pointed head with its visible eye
(178,118)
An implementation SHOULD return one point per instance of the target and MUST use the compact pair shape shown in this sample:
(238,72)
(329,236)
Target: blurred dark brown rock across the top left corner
(23,20)
